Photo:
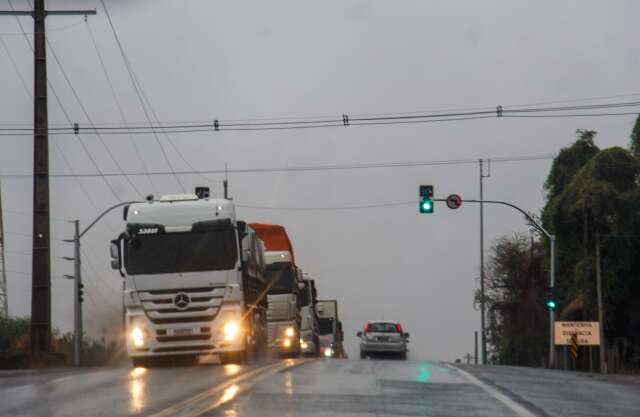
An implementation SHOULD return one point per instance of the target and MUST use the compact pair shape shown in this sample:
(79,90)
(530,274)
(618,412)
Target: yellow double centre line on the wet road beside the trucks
(225,391)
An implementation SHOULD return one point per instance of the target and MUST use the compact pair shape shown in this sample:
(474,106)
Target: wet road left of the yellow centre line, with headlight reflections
(108,392)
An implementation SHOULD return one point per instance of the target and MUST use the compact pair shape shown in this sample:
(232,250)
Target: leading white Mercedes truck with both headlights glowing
(193,280)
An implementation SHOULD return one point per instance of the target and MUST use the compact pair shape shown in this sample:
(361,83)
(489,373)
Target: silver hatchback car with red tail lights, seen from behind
(383,338)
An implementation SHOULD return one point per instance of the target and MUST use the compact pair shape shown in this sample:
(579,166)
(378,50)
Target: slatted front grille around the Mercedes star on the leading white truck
(203,305)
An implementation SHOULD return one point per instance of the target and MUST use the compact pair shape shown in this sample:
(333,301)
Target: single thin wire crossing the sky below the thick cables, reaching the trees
(311,168)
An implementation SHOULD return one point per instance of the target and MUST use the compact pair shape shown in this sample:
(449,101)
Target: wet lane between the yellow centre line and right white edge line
(367,387)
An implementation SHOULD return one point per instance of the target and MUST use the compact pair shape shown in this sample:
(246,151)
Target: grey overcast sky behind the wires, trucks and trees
(204,60)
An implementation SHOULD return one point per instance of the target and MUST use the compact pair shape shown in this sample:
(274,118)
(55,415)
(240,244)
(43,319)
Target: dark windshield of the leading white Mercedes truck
(210,250)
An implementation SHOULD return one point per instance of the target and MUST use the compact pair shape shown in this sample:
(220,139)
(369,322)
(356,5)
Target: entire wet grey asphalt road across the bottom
(313,388)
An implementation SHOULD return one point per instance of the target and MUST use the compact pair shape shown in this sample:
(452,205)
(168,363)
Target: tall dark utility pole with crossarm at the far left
(41,259)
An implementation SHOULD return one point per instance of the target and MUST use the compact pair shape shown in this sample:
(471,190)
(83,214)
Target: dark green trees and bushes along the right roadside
(592,195)
